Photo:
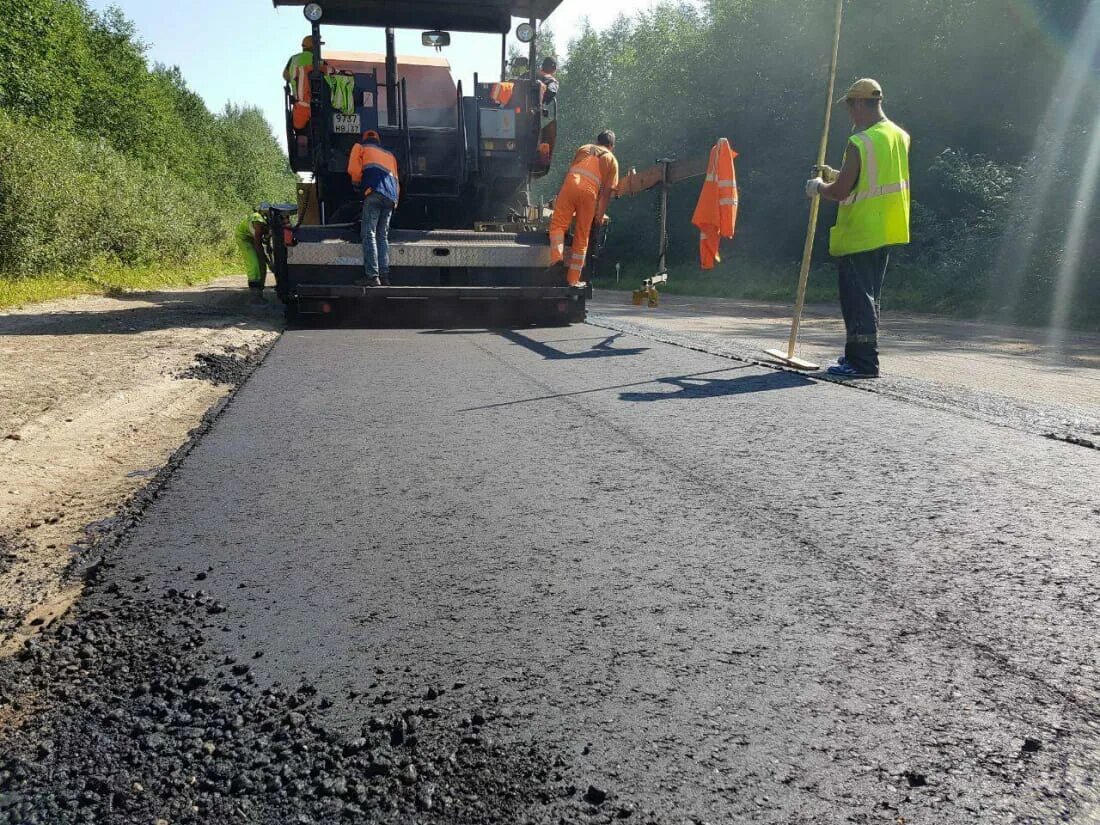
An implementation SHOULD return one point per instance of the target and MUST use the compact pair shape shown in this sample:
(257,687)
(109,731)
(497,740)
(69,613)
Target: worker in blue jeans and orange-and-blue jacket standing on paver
(375,171)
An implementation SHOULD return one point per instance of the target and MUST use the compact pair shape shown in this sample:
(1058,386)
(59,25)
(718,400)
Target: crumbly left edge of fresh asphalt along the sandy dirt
(107,535)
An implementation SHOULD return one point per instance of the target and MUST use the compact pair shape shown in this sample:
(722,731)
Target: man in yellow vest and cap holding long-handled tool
(873,189)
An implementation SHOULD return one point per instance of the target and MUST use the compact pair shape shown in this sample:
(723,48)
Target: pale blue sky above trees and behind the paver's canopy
(235,51)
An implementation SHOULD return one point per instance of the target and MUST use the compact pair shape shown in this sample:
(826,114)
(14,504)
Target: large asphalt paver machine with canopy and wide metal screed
(466,230)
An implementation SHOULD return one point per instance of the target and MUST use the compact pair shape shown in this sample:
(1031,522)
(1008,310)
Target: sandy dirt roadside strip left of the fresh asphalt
(96,395)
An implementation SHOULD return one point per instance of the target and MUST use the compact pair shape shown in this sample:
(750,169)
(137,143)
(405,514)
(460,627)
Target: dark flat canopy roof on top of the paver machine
(456,16)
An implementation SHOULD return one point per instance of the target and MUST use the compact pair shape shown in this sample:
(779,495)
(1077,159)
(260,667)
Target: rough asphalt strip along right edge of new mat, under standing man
(987,408)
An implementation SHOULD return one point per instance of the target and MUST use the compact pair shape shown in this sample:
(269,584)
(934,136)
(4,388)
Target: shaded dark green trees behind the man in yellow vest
(969,79)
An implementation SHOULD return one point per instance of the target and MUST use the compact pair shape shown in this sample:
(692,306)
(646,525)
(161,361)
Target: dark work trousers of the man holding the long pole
(862,277)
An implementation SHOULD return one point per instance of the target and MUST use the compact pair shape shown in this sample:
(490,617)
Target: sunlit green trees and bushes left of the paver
(108,161)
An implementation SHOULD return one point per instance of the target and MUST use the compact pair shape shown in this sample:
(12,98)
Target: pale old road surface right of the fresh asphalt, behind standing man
(1008,376)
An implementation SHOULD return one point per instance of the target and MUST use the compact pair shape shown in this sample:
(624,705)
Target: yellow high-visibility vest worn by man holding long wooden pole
(876,215)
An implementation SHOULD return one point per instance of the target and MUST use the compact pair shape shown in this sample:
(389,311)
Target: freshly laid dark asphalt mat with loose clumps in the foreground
(606,579)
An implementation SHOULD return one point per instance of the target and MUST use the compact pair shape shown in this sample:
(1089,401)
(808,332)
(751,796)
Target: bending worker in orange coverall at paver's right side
(589,186)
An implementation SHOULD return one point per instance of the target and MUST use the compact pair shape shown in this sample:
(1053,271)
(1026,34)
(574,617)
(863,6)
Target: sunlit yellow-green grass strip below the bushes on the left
(106,278)
